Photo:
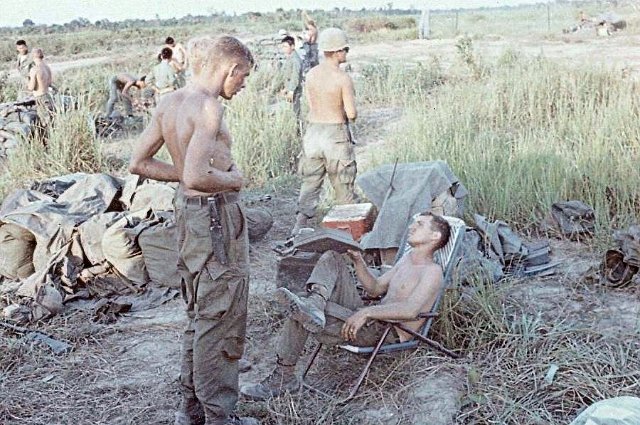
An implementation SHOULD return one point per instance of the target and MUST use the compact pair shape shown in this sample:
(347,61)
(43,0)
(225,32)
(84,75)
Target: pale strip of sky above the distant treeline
(14,12)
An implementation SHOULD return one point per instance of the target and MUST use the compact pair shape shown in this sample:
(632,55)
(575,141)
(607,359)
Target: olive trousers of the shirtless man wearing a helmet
(326,150)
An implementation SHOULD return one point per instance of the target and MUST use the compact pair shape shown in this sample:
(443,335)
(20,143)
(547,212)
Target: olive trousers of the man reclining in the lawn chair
(332,279)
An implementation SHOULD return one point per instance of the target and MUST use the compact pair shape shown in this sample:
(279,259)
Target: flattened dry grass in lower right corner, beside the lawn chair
(512,353)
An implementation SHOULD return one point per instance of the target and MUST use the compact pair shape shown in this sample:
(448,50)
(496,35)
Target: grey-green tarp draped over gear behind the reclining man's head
(414,188)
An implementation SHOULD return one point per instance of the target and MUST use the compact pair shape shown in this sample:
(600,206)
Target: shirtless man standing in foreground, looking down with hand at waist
(212,230)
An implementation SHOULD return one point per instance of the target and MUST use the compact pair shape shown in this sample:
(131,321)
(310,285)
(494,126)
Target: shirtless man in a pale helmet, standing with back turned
(327,146)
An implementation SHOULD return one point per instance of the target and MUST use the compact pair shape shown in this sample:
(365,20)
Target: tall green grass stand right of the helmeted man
(530,134)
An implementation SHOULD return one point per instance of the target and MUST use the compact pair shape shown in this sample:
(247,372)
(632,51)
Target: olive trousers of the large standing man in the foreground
(216,303)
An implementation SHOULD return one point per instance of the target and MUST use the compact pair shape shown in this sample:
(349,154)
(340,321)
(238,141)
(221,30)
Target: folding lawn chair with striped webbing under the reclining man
(447,257)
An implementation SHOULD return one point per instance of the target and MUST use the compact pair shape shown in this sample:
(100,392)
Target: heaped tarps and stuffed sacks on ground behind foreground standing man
(95,240)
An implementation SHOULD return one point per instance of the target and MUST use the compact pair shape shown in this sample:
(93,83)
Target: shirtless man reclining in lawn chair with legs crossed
(411,288)
